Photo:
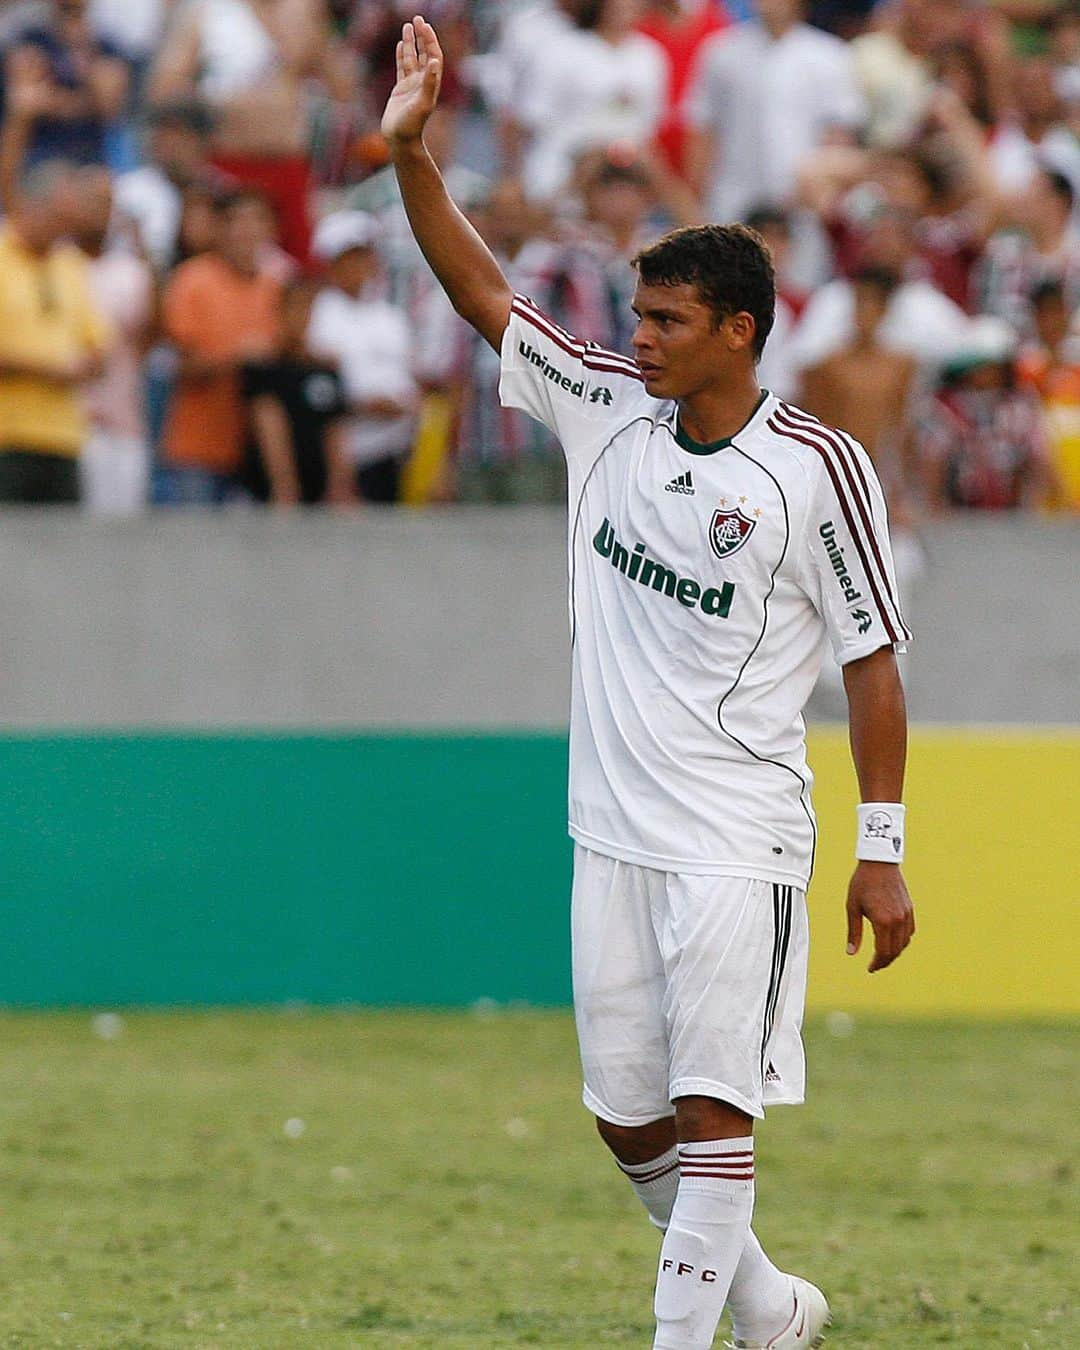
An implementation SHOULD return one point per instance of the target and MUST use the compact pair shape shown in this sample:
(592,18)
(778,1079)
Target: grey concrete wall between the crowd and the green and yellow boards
(437,620)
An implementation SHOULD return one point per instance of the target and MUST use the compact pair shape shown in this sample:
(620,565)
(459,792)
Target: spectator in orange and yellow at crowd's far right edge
(1052,369)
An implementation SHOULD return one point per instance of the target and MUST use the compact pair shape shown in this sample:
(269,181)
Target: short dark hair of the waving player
(731,267)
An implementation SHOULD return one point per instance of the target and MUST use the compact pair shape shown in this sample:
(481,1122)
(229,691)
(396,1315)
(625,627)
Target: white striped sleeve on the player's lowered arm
(847,558)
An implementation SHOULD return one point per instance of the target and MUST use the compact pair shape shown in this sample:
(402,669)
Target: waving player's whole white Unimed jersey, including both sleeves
(703,580)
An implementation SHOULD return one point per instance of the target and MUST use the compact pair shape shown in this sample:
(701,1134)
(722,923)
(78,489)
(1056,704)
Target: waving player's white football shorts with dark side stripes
(686,986)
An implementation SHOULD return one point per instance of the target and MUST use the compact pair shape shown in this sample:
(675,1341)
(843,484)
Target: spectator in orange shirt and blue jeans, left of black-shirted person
(221,313)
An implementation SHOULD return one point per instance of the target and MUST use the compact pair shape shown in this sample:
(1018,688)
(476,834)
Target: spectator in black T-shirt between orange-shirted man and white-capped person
(298,408)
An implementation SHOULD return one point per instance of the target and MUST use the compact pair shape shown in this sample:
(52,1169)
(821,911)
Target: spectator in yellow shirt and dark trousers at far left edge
(52,341)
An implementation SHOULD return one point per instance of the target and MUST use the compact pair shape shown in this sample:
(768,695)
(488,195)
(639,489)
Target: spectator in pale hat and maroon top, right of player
(981,441)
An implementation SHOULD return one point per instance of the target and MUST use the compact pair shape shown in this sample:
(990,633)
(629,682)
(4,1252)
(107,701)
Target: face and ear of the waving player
(680,345)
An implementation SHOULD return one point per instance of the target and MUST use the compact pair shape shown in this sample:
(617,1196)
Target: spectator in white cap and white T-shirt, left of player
(371,344)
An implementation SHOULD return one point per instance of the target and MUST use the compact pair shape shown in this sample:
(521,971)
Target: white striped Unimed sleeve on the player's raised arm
(578,391)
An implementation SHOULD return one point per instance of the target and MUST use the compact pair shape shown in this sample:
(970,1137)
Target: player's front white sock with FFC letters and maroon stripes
(704,1243)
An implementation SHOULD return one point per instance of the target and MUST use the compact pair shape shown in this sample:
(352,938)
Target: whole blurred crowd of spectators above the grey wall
(210,294)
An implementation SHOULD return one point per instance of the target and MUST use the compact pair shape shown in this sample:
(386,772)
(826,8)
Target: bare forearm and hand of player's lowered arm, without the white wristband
(878,724)
